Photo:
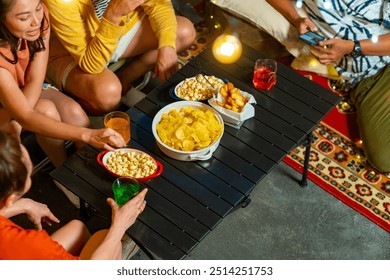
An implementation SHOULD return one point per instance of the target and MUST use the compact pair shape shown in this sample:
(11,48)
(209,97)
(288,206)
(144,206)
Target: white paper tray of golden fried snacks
(233,104)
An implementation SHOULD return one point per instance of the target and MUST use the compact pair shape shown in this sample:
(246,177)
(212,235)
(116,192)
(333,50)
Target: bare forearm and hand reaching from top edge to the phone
(287,9)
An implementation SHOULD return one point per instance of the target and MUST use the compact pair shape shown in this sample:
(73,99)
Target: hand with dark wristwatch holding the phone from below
(332,50)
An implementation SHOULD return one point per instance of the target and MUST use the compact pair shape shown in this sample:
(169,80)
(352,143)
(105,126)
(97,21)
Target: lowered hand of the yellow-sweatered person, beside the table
(167,63)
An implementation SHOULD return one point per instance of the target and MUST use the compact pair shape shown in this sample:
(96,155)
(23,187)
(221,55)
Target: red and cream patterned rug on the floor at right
(338,165)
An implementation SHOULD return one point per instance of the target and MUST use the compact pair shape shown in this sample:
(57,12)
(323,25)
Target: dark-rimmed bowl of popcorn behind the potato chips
(198,88)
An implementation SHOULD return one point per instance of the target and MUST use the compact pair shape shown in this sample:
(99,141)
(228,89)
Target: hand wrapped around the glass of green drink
(123,217)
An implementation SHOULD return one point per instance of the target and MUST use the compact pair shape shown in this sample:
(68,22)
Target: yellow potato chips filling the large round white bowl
(189,129)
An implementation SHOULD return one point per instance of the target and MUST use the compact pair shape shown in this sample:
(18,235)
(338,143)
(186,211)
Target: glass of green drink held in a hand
(124,189)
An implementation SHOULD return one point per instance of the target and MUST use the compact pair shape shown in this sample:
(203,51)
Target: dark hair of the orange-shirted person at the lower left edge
(13,171)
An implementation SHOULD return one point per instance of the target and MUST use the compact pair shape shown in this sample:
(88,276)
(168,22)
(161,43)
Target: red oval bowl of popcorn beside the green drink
(130,163)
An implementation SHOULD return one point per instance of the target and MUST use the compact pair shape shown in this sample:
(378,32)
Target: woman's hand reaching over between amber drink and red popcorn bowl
(100,138)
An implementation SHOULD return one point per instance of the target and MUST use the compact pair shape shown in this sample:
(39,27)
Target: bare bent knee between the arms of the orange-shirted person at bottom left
(72,236)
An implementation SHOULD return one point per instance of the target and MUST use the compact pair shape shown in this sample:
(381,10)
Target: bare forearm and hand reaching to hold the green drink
(122,218)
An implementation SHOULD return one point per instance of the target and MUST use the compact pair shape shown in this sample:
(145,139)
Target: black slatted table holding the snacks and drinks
(190,198)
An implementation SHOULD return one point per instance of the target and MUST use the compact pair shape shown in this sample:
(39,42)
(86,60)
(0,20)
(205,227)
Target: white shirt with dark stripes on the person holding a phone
(353,20)
